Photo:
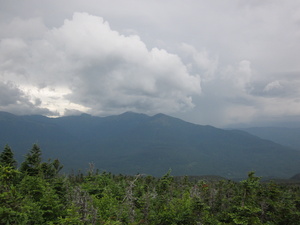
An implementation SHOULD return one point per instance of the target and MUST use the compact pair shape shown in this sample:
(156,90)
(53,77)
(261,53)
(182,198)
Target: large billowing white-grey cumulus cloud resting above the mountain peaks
(104,71)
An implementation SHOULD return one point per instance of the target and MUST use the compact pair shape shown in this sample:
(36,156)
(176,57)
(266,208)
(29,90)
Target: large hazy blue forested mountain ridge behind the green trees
(133,143)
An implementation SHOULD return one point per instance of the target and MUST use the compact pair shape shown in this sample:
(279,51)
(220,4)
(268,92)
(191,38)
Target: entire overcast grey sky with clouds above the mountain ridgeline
(220,63)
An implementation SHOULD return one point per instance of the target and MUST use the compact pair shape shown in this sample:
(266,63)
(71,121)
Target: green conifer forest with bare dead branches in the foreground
(35,193)
